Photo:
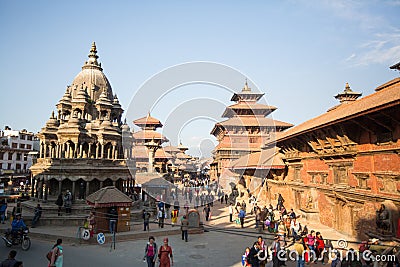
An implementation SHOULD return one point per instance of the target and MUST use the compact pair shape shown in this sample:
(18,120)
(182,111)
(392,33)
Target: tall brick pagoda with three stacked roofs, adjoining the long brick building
(245,131)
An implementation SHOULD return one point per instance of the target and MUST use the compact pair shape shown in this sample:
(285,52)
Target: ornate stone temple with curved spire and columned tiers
(81,144)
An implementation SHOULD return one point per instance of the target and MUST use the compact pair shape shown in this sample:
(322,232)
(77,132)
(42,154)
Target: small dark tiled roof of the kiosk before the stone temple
(107,197)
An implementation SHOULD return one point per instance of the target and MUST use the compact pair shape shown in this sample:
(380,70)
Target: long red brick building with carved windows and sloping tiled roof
(345,163)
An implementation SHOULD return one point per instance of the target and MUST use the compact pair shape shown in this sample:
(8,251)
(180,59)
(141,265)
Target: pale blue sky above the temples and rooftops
(299,53)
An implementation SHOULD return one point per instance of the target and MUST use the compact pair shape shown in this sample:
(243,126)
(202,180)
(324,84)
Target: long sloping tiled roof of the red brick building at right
(384,97)
